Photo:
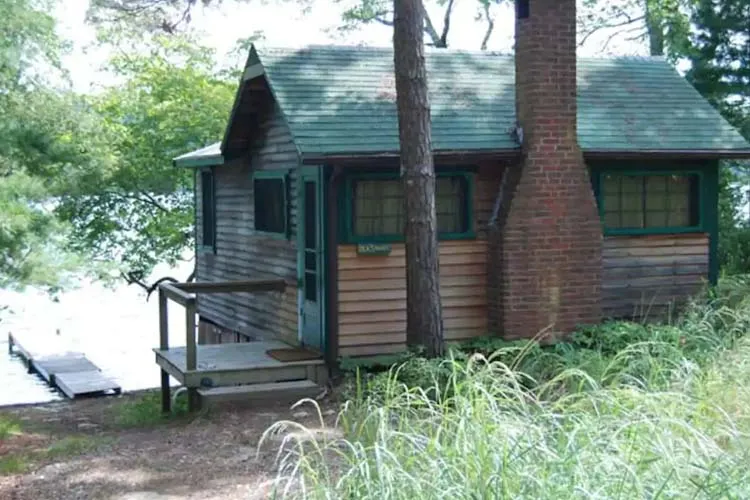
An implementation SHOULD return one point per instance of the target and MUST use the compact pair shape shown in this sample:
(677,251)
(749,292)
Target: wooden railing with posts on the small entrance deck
(185,294)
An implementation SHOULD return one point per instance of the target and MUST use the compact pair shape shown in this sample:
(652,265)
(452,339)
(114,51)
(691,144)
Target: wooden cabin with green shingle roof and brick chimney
(568,191)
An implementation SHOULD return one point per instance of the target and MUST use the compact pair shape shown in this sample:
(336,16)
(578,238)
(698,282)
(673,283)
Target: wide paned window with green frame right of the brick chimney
(650,202)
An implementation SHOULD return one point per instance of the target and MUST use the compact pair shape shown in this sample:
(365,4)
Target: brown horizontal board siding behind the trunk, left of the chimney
(372,296)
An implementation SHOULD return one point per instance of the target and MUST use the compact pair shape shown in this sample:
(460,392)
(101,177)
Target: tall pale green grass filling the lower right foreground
(622,411)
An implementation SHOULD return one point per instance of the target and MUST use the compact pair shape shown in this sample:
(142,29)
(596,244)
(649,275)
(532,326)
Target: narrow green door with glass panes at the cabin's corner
(310,258)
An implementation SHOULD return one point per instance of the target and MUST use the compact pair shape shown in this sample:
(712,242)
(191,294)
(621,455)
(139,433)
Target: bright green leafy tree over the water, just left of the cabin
(137,209)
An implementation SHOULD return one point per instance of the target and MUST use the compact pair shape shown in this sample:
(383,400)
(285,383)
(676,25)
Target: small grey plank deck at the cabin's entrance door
(231,364)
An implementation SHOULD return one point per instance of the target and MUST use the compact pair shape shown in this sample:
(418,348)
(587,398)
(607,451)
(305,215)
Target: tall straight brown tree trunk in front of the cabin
(424,322)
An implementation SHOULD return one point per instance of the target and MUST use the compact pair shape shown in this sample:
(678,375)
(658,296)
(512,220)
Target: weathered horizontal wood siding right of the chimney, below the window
(646,276)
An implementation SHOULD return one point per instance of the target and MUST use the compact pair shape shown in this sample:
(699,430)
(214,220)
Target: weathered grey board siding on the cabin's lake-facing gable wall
(241,252)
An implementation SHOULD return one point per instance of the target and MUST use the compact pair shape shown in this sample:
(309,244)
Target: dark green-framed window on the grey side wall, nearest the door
(270,202)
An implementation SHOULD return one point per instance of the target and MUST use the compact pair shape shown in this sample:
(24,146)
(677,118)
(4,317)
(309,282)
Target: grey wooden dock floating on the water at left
(67,370)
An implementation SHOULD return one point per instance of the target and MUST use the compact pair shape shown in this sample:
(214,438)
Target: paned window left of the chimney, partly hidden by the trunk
(377,207)
